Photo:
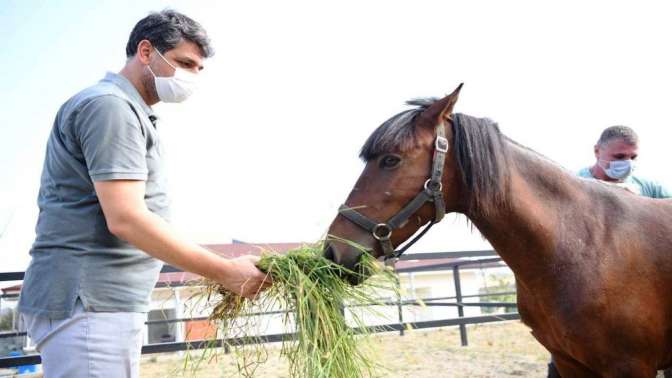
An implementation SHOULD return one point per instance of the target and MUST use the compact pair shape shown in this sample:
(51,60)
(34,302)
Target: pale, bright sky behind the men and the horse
(267,149)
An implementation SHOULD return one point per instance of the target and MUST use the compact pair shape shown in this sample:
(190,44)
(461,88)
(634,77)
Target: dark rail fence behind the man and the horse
(461,321)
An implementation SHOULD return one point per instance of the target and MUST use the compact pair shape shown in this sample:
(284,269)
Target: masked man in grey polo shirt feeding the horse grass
(102,227)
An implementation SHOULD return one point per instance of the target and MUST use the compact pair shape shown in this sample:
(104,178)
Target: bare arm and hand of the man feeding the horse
(129,219)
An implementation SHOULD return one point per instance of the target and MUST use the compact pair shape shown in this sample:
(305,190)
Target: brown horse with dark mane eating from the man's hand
(593,262)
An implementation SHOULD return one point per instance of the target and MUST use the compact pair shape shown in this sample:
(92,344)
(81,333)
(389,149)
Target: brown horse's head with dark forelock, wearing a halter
(410,179)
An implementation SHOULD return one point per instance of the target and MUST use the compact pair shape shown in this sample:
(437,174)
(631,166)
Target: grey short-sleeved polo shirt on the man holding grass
(104,132)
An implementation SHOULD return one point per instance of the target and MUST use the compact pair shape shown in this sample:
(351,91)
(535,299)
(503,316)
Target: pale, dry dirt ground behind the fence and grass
(495,350)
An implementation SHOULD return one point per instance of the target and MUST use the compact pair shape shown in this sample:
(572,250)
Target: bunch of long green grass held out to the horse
(313,292)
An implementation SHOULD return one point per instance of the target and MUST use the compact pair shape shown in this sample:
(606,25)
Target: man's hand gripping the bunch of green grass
(244,278)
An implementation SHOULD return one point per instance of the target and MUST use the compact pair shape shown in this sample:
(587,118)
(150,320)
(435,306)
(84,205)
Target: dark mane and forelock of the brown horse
(480,150)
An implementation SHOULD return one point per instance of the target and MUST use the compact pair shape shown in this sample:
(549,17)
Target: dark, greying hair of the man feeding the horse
(165,30)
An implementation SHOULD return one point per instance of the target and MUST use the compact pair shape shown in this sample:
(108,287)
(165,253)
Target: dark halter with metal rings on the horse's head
(432,192)
